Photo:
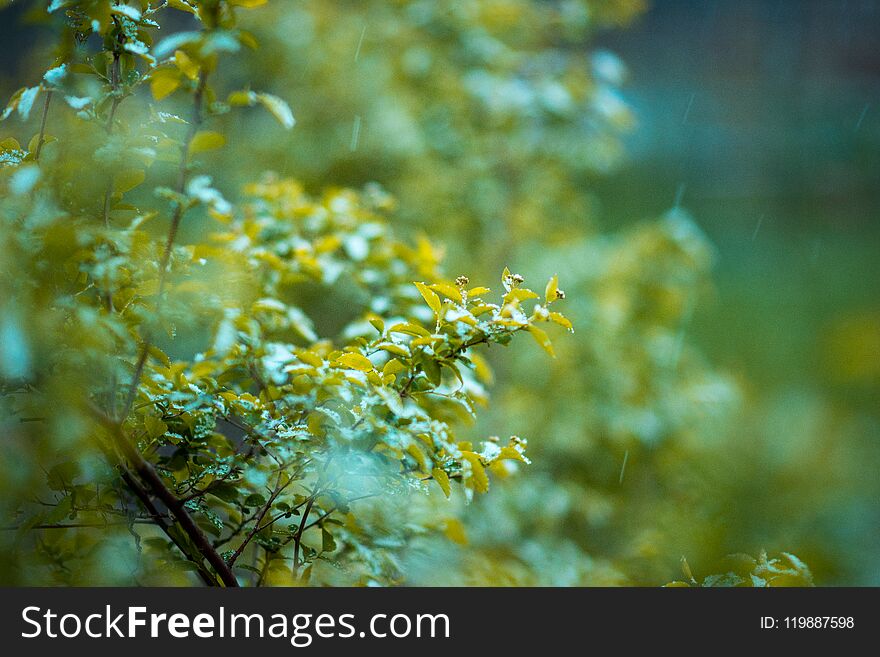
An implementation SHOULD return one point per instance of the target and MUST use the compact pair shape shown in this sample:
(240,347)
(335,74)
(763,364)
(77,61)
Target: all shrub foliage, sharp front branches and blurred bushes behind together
(288,385)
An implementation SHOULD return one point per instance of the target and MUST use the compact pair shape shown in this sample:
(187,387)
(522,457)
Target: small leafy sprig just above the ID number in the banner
(745,570)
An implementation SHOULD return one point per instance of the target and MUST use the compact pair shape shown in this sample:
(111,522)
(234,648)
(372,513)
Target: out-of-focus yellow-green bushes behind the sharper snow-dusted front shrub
(490,122)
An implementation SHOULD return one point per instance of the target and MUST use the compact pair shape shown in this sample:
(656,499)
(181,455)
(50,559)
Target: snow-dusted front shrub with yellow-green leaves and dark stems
(183,385)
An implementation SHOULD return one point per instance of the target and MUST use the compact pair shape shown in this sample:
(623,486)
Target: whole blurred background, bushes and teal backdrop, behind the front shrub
(703,176)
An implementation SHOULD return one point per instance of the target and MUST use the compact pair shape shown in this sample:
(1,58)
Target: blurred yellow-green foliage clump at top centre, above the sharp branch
(493,114)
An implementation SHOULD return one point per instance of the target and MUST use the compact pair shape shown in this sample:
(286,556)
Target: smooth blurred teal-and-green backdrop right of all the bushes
(763,120)
